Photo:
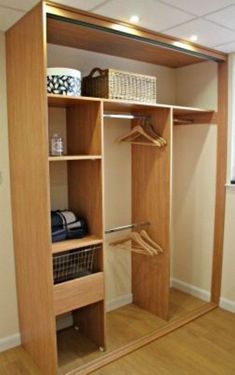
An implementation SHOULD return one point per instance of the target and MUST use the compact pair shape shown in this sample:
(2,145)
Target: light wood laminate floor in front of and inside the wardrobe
(205,346)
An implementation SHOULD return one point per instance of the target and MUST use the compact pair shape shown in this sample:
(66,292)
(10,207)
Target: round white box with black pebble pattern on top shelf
(64,81)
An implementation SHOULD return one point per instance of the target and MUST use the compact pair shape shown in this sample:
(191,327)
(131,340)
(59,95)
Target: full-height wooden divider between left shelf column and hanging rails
(85,189)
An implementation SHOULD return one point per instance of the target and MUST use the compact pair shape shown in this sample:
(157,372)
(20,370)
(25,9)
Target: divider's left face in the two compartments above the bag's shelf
(85,177)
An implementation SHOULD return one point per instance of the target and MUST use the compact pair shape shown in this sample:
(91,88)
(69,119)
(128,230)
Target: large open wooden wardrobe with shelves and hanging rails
(137,172)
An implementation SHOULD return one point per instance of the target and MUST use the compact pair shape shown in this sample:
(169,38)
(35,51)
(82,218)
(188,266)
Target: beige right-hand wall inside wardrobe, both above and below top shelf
(194,174)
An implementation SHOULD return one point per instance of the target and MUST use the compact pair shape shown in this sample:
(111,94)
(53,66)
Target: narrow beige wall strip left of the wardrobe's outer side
(8,306)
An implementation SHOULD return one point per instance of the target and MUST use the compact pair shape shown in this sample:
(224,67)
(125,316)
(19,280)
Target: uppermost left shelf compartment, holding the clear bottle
(78,121)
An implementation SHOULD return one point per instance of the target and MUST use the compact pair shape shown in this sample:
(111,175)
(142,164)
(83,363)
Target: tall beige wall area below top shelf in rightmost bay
(193,204)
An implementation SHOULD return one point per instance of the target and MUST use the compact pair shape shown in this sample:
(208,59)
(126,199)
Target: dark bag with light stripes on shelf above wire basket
(65,224)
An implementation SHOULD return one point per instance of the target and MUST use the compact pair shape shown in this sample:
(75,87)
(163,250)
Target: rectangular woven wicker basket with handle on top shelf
(116,84)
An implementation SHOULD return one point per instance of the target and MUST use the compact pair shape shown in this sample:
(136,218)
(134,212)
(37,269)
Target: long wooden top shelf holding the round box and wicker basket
(181,114)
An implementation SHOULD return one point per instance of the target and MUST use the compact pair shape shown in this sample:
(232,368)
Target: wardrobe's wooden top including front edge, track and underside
(128,38)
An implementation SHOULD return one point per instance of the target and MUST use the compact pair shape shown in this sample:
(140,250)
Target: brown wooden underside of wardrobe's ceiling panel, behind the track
(76,36)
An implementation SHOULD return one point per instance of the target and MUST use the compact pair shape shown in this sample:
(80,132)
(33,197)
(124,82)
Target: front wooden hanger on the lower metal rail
(138,244)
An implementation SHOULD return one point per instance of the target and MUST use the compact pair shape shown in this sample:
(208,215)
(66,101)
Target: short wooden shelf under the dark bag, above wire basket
(77,243)
